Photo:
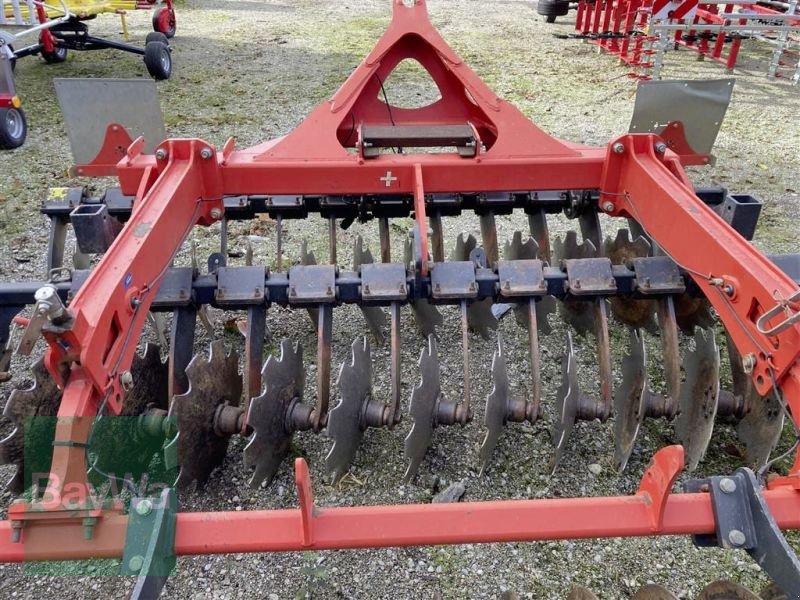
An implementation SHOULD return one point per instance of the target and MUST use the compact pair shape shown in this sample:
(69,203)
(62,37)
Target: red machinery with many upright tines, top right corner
(641,33)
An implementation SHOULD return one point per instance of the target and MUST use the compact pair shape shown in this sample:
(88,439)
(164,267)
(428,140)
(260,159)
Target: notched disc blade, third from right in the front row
(629,400)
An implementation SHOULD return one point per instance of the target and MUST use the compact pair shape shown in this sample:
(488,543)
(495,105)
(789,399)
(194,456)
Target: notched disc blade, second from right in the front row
(699,397)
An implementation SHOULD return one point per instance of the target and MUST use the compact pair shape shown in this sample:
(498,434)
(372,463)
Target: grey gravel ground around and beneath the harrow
(253,69)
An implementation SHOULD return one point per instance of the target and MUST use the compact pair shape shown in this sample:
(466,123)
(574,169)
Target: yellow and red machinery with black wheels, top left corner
(61,28)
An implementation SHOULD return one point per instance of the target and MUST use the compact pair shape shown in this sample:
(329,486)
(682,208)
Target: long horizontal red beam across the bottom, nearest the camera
(402,525)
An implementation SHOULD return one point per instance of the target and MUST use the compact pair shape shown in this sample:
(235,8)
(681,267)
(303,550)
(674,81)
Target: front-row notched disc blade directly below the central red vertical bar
(422,409)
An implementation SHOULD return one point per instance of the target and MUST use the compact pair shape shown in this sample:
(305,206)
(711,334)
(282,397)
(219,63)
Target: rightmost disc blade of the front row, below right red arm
(761,425)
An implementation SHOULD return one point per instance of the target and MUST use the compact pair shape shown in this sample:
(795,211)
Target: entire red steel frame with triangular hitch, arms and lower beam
(182,184)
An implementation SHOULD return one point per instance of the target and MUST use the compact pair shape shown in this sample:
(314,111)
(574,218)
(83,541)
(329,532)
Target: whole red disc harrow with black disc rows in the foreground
(356,160)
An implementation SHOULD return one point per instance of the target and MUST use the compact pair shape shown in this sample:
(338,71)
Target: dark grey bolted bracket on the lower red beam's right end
(744,521)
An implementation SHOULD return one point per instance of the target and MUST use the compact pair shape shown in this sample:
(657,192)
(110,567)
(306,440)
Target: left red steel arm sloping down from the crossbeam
(88,355)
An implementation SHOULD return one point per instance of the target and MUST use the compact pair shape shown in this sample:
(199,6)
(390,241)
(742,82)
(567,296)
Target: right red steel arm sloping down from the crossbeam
(740,282)
